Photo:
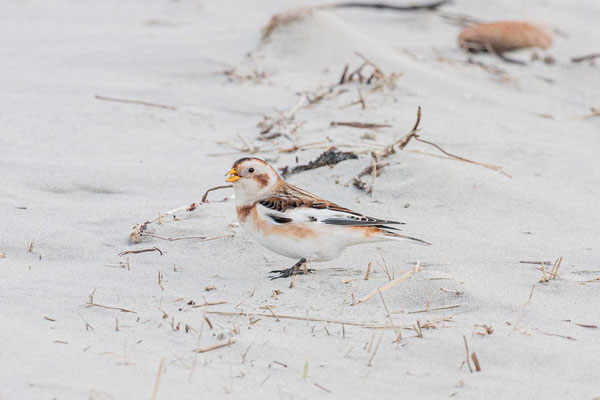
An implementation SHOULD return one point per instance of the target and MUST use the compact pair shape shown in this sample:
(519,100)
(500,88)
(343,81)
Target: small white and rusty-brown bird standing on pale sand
(297,224)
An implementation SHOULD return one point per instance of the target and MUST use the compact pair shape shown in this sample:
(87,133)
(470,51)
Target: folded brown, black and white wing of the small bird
(291,204)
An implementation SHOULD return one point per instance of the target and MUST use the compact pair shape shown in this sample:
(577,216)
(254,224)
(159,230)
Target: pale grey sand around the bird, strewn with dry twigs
(79,172)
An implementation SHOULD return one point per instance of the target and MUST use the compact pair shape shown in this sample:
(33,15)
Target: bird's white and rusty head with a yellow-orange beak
(252,178)
